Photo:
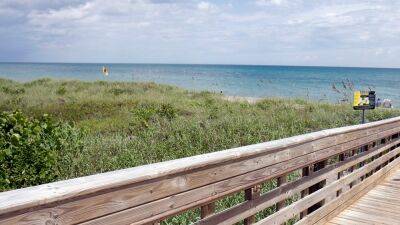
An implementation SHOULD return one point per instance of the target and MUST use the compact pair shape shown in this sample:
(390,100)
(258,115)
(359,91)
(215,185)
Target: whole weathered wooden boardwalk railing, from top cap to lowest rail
(307,178)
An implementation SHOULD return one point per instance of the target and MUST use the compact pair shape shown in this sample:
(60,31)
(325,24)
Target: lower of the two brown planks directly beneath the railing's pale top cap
(210,192)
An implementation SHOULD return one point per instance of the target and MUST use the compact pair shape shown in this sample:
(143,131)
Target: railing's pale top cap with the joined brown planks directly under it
(152,192)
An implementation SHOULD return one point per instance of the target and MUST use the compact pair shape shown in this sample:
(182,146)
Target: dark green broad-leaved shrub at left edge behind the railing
(31,149)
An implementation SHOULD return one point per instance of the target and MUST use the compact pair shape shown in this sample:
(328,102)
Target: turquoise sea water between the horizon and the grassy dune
(253,81)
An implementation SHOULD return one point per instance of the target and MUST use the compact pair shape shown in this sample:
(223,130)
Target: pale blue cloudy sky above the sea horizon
(266,32)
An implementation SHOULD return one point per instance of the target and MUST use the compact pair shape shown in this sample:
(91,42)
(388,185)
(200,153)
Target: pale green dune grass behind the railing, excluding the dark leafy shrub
(129,124)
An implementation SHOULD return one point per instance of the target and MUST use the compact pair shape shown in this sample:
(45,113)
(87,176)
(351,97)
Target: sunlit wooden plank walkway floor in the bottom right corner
(381,205)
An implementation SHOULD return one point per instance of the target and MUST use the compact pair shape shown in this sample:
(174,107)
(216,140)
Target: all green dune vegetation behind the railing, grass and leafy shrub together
(102,126)
